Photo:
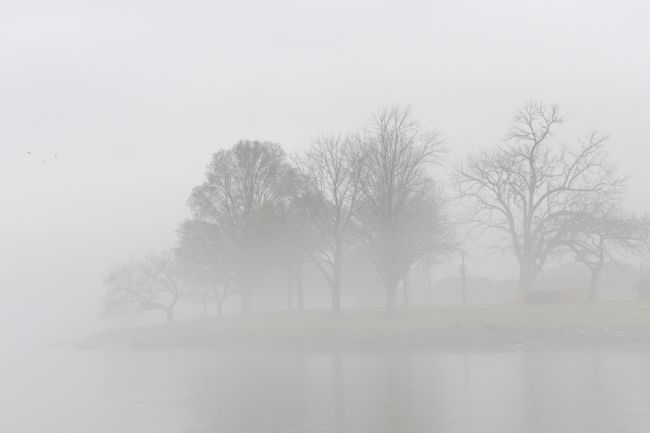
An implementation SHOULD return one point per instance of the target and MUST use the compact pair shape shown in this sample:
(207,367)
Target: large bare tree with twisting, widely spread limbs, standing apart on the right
(533,191)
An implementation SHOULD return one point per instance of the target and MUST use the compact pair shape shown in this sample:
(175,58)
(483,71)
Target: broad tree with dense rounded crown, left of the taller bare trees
(242,197)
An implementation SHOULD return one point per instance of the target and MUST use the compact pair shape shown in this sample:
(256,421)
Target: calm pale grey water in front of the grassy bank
(119,391)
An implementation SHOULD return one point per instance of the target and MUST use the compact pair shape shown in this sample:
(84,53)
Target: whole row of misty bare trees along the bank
(379,191)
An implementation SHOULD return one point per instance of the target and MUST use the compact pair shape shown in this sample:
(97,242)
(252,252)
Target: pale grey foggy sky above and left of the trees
(136,95)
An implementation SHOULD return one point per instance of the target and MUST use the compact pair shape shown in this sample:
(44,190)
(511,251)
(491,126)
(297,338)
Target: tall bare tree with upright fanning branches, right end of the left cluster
(402,218)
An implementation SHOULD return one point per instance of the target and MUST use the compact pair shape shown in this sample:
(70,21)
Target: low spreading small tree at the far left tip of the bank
(152,283)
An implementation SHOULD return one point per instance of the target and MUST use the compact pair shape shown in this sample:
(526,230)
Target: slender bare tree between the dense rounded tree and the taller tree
(327,203)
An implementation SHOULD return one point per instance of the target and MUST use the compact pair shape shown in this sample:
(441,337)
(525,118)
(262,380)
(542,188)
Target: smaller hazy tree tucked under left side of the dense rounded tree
(204,260)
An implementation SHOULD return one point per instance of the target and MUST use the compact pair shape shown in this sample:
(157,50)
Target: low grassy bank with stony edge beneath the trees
(508,325)
